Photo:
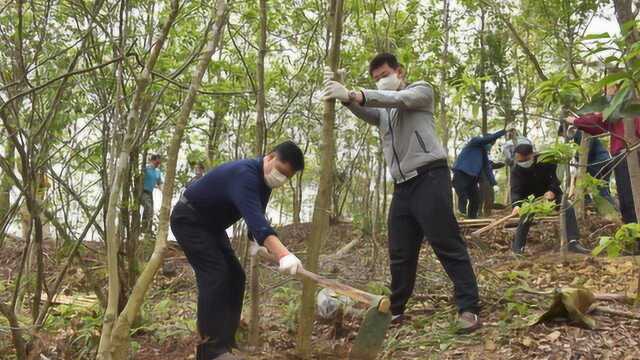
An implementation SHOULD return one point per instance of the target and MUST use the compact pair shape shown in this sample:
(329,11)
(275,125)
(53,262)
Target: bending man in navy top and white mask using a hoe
(238,189)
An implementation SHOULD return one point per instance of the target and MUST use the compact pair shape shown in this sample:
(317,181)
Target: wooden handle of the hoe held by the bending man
(381,302)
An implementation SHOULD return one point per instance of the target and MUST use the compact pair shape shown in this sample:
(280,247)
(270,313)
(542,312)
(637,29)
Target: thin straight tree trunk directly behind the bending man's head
(254,273)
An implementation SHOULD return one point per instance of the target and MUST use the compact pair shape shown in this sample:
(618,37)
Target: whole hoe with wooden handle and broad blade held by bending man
(377,318)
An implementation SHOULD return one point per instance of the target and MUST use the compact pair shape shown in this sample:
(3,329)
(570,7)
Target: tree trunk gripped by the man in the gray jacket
(322,207)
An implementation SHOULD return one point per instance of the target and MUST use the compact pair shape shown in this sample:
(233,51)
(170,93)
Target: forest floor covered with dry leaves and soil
(167,327)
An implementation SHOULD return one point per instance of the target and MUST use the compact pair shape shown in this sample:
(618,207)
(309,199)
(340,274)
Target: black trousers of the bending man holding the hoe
(219,276)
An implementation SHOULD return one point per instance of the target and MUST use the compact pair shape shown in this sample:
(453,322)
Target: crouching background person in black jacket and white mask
(531,177)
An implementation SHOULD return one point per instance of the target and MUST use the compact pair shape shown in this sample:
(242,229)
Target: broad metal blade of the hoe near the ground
(370,338)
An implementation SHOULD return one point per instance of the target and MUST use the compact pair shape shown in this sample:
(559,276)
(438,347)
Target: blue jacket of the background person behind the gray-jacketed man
(473,158)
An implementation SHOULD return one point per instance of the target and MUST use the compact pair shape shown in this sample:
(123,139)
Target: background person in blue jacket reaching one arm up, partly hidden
(473,163)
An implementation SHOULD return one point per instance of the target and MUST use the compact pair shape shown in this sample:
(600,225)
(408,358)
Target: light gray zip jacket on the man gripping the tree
(405,120)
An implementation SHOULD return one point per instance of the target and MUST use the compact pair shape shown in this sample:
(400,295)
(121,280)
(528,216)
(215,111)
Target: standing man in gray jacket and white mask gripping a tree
(421,204)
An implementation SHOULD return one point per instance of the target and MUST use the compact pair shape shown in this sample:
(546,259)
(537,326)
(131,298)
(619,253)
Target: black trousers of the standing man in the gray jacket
(422,207)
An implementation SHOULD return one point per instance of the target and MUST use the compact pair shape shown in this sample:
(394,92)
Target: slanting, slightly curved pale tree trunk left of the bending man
(120,335)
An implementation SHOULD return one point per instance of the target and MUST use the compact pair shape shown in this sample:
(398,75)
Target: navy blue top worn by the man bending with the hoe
(232,191)
